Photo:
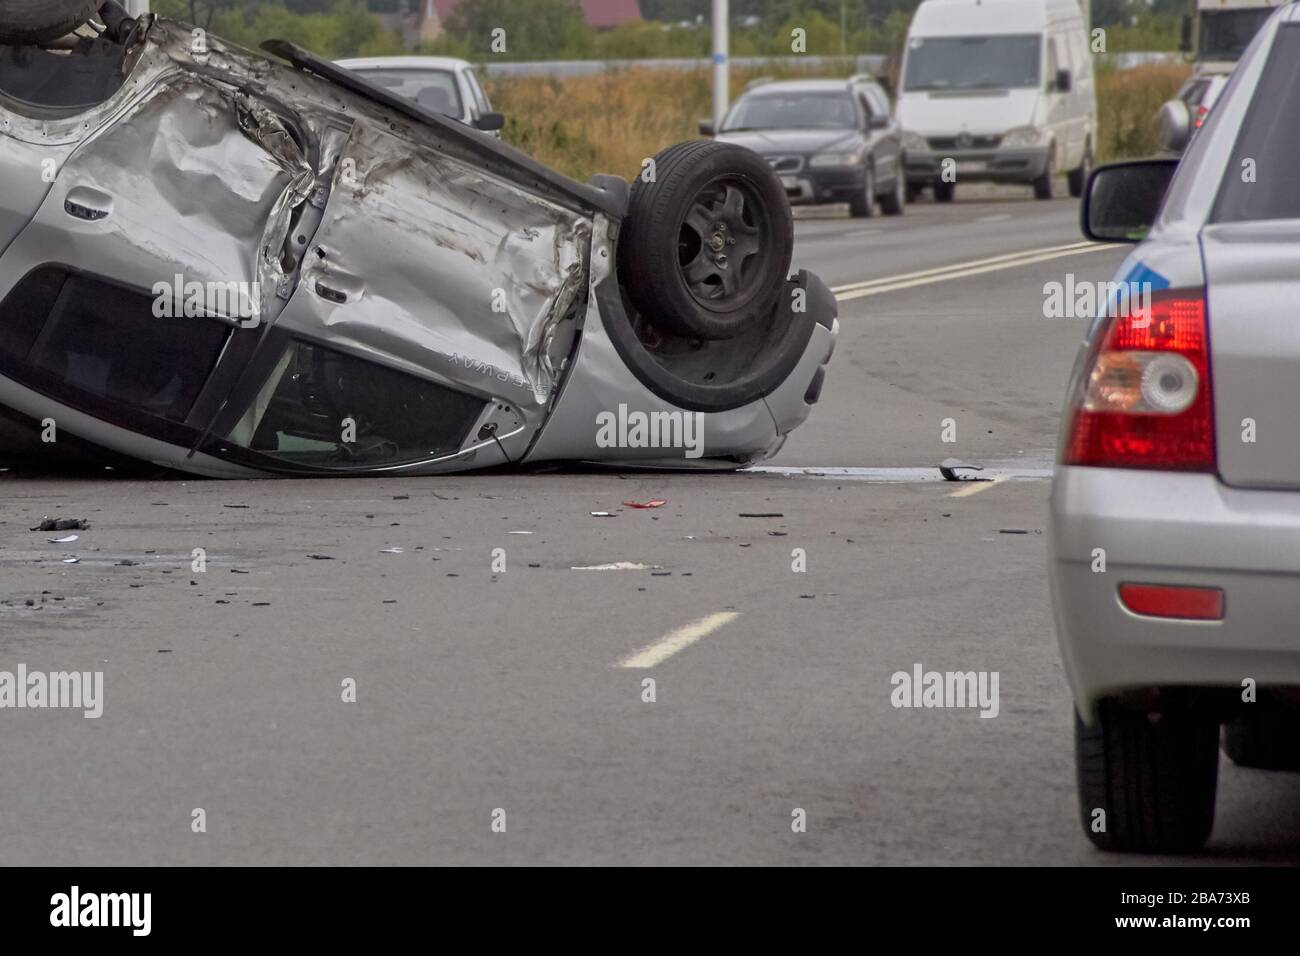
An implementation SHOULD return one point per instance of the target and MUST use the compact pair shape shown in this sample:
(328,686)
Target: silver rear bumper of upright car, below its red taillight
(1178,530)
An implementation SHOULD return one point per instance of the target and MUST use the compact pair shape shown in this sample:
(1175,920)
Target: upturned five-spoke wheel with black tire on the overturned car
(708,198)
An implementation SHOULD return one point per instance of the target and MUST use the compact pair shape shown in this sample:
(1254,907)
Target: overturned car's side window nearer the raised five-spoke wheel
(324,409)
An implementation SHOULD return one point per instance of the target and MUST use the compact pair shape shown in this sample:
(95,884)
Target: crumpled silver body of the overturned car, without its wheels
(239,267)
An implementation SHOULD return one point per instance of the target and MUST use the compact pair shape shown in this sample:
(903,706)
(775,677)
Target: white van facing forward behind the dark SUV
(998,92)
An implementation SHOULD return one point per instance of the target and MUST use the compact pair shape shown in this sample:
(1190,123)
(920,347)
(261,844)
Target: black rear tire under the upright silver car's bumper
(1155,776)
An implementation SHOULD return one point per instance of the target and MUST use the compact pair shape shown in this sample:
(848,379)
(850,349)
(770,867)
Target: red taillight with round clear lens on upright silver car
(1145,400)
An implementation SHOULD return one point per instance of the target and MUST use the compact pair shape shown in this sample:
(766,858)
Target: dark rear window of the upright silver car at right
(1263,181)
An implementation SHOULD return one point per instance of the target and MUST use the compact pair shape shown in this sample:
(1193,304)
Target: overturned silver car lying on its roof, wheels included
(239,265)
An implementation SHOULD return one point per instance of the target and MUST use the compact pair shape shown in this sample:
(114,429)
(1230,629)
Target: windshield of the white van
(973,63)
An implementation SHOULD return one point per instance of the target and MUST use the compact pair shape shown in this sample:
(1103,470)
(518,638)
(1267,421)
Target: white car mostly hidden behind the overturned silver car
(440,84)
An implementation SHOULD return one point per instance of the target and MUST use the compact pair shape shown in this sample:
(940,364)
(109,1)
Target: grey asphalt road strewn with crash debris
(482,691)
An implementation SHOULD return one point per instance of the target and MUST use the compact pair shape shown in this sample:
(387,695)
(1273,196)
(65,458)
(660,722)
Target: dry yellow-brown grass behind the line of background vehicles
(612,123)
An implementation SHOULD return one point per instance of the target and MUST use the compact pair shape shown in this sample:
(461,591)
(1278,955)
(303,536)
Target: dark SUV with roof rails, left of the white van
(831,141)
